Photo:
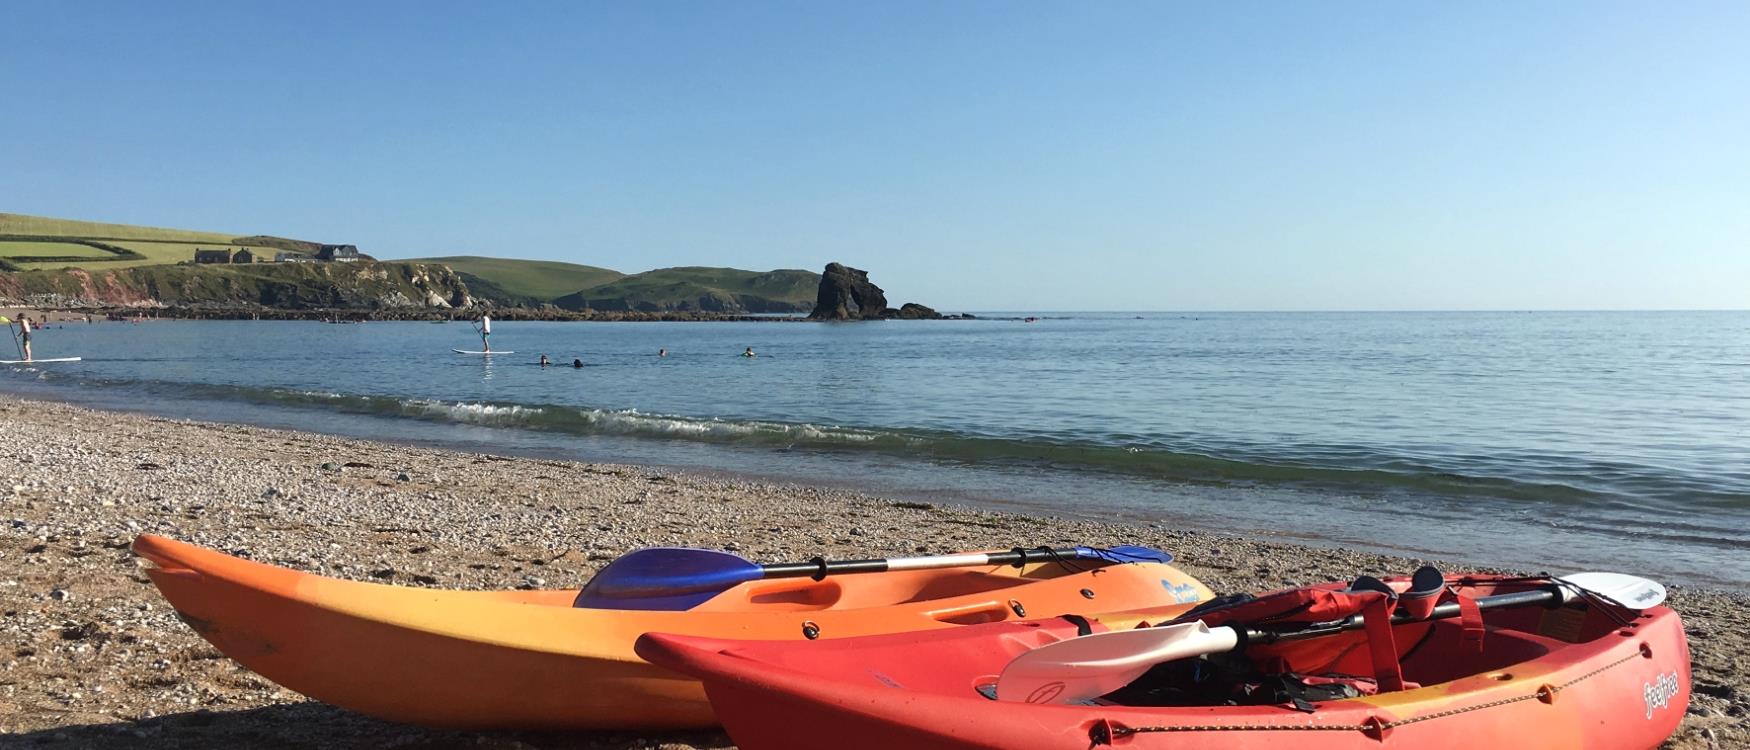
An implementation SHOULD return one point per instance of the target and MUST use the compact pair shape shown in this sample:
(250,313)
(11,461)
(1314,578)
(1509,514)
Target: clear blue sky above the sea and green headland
(970,155)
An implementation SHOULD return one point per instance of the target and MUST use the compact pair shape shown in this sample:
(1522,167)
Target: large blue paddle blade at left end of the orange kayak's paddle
(666,580)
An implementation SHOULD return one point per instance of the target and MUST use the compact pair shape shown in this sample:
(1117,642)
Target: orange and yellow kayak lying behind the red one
(531,660)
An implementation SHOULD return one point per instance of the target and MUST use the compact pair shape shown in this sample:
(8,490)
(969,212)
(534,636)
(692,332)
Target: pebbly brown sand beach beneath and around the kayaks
(95,658)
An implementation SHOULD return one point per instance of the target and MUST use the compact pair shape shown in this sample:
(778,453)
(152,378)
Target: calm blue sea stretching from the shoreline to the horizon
(1548,441)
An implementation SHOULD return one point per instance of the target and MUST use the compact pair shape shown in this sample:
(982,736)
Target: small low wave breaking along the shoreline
(1345,468)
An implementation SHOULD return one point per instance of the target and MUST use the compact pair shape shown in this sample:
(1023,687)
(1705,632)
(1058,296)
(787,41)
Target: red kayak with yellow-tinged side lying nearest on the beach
(1576,672)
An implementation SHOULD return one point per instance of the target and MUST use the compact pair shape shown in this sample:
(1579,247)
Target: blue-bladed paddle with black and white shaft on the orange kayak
(678,578)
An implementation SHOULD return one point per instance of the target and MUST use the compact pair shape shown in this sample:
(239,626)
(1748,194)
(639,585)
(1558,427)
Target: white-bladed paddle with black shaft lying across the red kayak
(1095,665)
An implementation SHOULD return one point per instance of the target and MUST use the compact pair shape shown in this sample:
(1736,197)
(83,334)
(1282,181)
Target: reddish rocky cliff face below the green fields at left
(304,286)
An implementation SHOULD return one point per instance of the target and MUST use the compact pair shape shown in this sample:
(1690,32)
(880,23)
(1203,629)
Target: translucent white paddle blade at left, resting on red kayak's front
(1095,665)
